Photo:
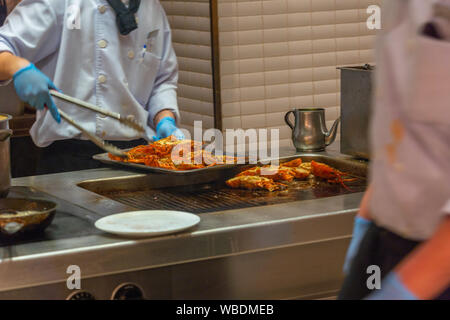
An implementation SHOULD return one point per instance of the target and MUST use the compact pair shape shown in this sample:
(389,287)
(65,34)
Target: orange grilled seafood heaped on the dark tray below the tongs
(173,154)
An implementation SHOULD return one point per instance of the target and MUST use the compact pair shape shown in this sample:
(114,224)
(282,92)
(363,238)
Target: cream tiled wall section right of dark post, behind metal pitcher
(279,54)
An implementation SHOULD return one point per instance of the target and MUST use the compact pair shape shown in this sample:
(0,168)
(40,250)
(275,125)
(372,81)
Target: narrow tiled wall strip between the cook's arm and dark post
(190,22)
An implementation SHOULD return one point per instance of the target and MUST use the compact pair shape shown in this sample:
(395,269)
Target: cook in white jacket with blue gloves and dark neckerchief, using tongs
(114,54)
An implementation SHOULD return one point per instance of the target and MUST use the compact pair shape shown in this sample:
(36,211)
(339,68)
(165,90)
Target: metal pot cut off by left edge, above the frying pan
(5,161)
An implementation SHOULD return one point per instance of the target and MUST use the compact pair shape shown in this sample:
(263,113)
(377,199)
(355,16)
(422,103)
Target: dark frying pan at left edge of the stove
(24,216)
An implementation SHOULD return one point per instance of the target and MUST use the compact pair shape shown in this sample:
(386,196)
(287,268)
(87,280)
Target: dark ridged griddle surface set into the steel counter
(197,196)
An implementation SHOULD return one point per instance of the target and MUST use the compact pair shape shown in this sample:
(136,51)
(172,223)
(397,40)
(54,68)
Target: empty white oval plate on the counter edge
(138,224)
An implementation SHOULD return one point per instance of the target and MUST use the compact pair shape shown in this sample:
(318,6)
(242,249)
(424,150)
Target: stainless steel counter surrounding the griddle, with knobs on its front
(220,235)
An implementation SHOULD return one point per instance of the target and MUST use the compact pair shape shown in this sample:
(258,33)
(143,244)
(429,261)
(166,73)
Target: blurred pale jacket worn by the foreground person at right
(411,123)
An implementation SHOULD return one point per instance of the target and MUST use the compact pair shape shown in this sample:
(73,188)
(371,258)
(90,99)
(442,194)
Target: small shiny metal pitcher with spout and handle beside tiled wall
(310,131)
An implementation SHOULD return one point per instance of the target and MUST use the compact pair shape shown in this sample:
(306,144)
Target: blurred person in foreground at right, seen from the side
(404,223)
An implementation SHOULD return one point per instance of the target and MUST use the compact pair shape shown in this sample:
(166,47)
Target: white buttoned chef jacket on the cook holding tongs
(96,63)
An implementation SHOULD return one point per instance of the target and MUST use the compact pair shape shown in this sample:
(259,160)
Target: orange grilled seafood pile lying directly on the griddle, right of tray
(269,177)
